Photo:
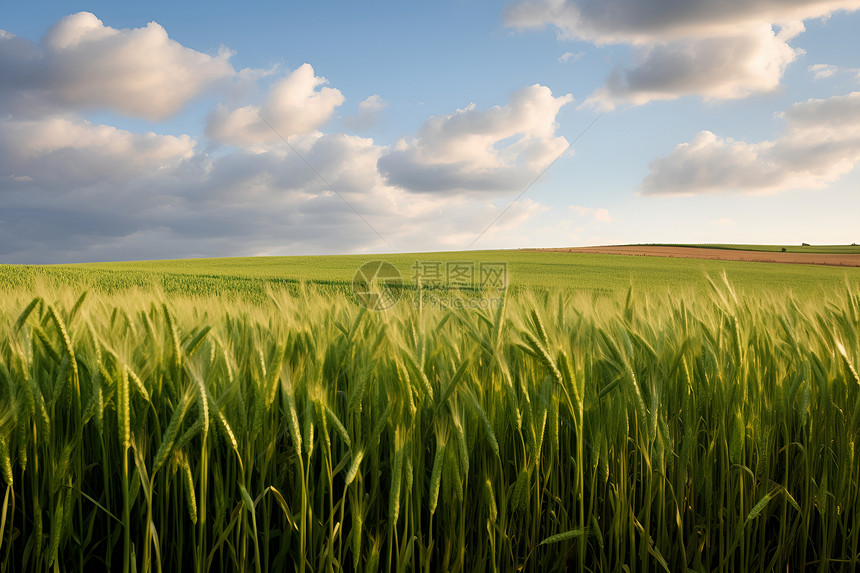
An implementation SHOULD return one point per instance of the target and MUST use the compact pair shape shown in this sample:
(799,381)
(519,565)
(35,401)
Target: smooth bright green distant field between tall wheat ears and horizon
(250,277)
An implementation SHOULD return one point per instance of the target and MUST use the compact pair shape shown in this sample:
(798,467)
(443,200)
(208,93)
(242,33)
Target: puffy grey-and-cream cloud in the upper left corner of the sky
(82,64)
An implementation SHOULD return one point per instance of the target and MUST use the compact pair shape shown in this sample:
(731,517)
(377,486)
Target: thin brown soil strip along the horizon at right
(837,260)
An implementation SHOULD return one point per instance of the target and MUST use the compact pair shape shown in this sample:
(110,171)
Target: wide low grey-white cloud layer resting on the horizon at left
(76,191)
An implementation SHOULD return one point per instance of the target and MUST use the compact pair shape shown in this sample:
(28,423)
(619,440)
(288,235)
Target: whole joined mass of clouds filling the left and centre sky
(73,189)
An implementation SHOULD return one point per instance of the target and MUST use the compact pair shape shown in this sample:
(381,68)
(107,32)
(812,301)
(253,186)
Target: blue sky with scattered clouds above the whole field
(162,130)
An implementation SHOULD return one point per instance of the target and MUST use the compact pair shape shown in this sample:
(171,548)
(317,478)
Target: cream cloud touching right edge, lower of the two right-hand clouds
(821,142)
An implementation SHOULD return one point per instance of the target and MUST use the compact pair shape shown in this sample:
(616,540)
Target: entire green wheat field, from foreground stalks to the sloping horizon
(604,413)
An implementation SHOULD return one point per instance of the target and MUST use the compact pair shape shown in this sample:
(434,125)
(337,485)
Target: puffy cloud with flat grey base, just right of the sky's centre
(498,149)
